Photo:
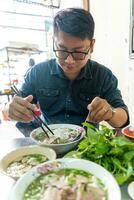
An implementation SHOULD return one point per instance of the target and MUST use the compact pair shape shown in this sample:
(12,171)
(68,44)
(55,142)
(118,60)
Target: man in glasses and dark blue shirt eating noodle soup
(71,88)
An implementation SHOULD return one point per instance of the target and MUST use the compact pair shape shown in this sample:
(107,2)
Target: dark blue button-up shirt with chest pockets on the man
(65,101)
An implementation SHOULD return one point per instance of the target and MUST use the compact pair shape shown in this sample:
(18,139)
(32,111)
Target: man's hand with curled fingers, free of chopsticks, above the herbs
(99,110)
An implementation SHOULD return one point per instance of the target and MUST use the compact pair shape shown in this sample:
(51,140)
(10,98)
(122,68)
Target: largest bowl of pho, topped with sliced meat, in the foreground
(67,179)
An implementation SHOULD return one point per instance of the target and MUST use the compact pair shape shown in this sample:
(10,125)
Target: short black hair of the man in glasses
(74,21)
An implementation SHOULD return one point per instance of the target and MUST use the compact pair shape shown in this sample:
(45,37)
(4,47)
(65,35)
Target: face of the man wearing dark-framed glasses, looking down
(65,42)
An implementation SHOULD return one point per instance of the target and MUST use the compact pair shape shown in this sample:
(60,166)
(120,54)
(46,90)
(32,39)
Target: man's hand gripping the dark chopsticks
(19,109)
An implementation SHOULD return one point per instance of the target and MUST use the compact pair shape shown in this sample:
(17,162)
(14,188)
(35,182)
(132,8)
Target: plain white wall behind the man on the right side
(112,21)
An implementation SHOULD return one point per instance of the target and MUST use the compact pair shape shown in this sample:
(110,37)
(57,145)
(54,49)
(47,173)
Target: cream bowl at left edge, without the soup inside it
(24,151)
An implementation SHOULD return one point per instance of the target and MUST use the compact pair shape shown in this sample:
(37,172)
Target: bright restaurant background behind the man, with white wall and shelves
(26,32)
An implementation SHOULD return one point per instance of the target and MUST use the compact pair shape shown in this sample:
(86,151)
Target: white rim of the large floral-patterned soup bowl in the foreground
(108,180)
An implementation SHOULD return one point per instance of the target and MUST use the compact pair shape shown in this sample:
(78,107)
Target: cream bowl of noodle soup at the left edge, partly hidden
(19,161)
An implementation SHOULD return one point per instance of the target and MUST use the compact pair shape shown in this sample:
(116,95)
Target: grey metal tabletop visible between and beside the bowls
(6,145)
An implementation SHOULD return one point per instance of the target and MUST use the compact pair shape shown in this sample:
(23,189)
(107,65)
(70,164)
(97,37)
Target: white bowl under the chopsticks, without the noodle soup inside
(64,147)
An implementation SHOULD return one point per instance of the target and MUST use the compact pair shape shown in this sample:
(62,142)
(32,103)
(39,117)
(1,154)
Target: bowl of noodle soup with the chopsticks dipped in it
(66,137)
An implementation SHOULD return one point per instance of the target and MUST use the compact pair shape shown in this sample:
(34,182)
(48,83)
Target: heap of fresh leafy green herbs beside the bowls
(102,146)
